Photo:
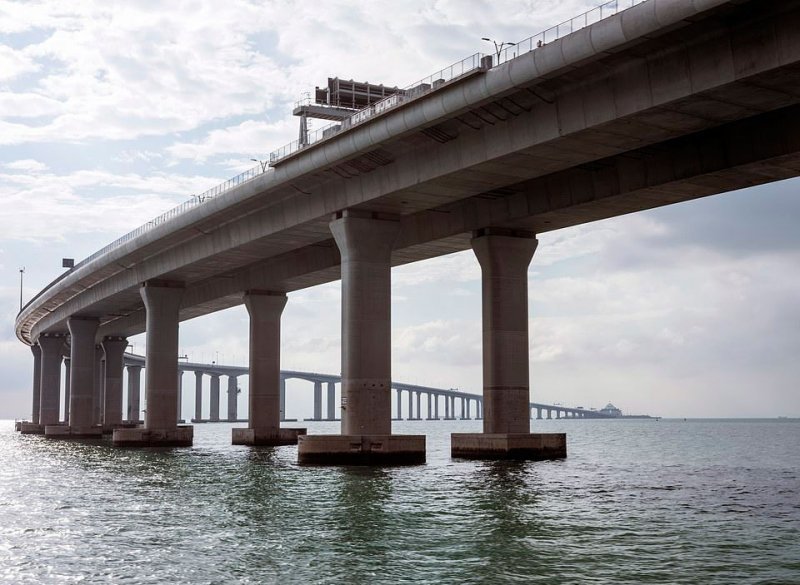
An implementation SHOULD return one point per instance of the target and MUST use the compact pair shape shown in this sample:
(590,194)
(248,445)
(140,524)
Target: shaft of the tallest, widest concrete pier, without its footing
(366,248)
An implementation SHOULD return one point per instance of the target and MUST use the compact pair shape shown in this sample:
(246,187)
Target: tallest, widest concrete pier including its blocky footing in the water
(365,244)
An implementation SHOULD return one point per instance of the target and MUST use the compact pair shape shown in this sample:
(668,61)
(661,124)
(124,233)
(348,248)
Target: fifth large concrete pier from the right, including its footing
(82,373)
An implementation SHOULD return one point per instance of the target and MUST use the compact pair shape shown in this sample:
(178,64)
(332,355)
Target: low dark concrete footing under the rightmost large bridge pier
(529,446)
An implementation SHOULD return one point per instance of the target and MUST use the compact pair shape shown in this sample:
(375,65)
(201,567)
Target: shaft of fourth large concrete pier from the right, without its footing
(161,360)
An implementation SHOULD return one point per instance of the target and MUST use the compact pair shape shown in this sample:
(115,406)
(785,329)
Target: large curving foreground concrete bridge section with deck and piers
(632,106)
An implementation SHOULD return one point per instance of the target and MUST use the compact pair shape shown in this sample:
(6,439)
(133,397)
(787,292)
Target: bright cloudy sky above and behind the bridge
(113,112)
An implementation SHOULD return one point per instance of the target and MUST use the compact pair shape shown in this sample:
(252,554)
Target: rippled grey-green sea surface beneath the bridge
(635,502)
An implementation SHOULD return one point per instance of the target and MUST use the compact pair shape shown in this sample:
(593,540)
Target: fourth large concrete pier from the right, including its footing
(162,302)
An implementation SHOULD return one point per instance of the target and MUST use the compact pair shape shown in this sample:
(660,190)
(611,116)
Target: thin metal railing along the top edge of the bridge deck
(411,92)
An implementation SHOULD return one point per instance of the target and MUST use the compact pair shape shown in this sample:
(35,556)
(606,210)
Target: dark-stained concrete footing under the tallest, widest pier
(361,449)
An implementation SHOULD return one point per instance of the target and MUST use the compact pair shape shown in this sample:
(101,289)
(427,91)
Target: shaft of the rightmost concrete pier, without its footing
(504,264)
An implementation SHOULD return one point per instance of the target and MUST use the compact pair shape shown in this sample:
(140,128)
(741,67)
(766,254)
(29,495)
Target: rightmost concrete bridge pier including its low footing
(504,258)
